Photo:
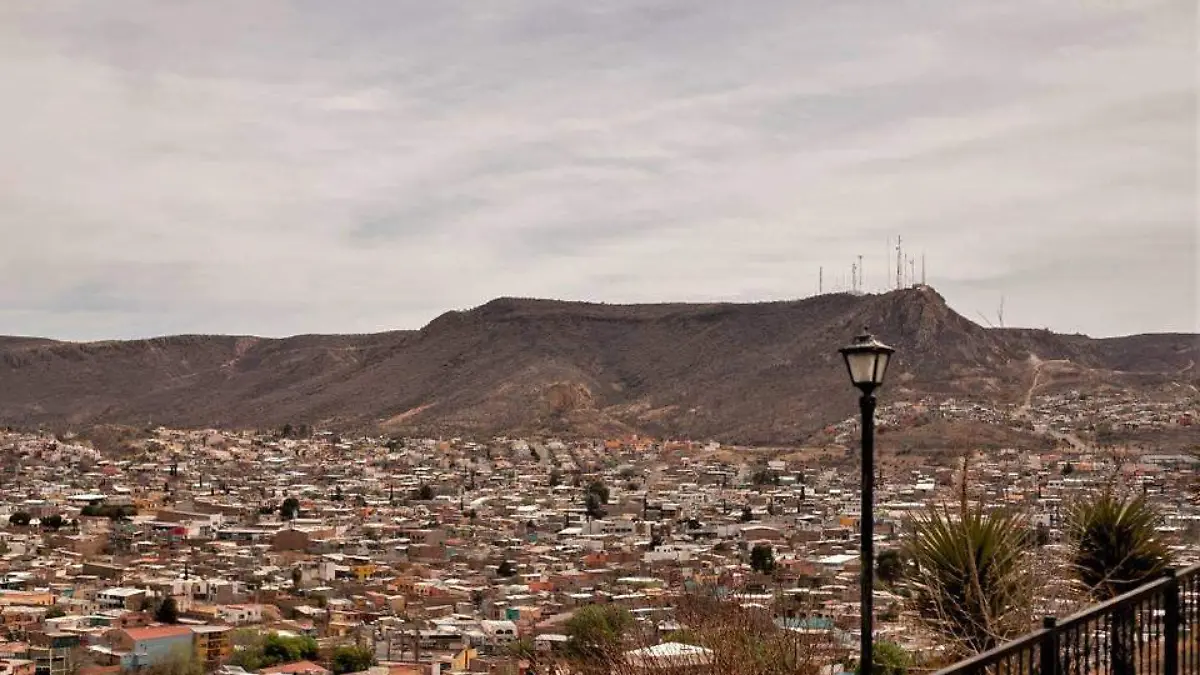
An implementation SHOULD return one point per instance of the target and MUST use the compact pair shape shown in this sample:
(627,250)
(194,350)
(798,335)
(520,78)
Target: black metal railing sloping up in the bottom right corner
(1151,630)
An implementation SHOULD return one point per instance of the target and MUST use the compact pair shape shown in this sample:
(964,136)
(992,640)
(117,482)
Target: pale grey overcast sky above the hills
(267,168)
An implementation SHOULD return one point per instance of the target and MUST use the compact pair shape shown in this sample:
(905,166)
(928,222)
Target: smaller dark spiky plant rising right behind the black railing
(1115,543)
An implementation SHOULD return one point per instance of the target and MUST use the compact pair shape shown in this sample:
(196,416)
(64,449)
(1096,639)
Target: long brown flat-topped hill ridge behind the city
(763,373)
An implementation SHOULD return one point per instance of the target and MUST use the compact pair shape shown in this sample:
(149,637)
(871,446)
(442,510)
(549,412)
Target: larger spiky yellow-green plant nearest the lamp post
(970,576)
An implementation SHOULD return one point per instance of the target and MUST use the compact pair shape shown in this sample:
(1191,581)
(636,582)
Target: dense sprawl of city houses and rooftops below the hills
(302,552)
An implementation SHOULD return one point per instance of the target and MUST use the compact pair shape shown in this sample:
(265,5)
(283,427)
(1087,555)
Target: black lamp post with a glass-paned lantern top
(867,360)
